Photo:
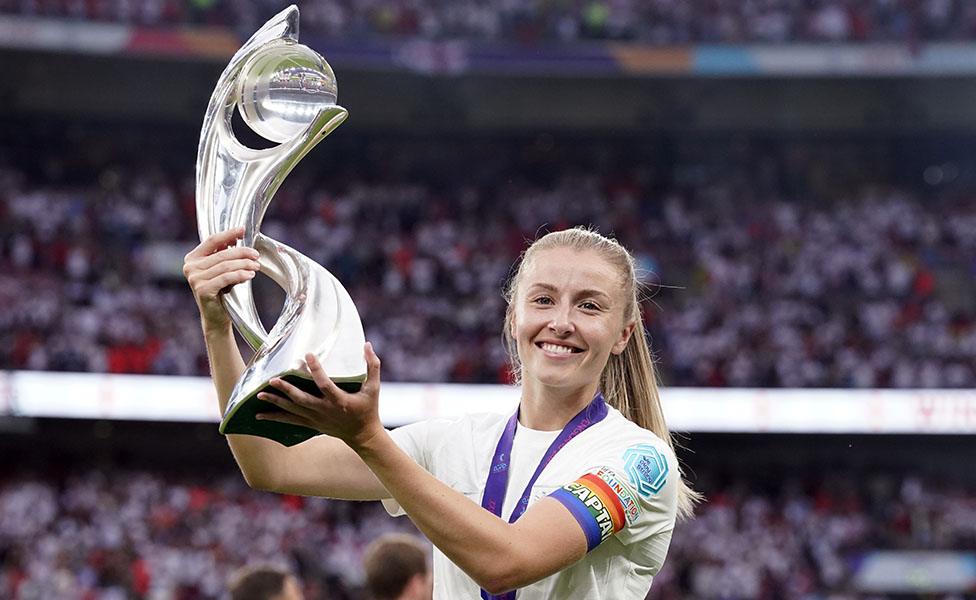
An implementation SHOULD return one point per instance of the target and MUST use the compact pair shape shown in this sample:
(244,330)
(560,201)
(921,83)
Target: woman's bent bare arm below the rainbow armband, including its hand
(498,555)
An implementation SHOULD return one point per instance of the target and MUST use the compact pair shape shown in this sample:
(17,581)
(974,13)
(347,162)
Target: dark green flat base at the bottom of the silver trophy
(243,419)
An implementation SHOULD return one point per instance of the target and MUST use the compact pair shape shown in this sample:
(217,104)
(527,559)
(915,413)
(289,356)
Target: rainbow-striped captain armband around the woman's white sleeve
(601,503)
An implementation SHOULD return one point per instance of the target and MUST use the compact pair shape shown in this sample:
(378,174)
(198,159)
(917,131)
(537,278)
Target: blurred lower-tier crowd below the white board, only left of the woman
(140,534)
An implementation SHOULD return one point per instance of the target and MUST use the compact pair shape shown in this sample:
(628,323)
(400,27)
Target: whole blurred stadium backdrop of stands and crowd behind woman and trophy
(795,177)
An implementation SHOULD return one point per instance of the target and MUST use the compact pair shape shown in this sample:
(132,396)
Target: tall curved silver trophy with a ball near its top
(286,93)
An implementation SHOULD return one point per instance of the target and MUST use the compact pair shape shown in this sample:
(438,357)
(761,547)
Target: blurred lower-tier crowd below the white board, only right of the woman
(803,540)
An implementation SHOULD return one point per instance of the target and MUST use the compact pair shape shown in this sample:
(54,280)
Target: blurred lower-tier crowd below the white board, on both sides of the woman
(126,534)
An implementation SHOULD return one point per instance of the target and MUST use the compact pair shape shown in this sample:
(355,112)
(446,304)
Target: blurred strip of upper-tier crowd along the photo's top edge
(658,22)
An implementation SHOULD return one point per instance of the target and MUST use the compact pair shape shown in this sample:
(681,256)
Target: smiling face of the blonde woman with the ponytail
(568,317)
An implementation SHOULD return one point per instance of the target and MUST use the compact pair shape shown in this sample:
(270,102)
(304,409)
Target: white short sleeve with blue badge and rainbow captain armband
(630,492)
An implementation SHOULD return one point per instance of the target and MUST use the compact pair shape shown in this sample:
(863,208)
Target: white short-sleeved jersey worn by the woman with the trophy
(620,482)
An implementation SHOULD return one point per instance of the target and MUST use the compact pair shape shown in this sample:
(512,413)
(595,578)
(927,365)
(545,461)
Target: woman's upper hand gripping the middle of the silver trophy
(213,267)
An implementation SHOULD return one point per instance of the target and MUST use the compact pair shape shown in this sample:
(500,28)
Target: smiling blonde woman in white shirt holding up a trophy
(573,496)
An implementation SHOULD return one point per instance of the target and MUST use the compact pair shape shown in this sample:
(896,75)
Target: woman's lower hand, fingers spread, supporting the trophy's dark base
(351,417)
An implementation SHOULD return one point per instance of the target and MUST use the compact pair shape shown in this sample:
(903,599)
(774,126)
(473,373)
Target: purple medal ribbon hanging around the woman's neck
(497,484)
